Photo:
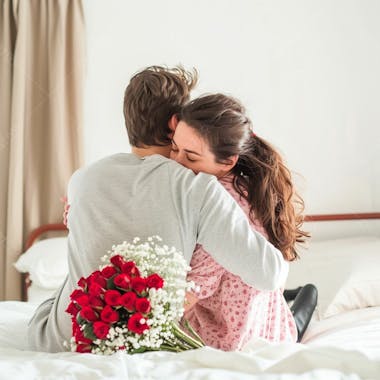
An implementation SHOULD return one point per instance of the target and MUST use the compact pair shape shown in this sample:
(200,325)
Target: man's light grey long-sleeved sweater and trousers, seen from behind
(124,196)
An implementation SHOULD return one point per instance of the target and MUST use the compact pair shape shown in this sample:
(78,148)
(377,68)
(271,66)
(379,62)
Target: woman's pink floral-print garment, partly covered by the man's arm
(229,313)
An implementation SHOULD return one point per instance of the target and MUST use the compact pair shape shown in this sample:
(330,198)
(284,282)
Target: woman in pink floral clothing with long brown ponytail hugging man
(214,136)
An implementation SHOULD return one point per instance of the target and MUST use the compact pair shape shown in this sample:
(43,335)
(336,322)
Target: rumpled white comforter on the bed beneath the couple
(320,358)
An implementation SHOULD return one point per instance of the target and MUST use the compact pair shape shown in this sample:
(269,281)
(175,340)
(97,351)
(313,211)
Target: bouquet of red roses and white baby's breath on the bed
(133,302)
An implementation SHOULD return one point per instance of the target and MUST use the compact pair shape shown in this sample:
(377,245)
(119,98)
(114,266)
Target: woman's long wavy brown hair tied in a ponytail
(260,175)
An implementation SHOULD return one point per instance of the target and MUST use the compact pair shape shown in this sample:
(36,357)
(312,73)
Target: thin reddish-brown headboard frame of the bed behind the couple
(44,229)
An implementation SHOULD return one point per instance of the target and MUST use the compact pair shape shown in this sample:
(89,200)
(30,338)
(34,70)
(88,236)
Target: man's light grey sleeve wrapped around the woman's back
(224,231)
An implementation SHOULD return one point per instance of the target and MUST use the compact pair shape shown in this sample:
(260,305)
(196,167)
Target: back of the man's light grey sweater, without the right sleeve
(124,196)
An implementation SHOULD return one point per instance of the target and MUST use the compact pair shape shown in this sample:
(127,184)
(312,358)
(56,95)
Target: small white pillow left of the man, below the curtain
(46,262)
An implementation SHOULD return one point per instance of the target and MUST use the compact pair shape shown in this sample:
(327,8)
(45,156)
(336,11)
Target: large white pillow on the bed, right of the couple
(345,271)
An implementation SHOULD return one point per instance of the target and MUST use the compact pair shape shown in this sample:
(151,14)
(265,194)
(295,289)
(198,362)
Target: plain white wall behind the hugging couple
(307,71)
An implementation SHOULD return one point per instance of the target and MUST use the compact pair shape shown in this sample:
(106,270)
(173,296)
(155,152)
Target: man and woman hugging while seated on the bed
(206,184)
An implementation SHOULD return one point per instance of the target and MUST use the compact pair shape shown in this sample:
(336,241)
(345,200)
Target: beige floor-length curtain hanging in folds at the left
(41,76)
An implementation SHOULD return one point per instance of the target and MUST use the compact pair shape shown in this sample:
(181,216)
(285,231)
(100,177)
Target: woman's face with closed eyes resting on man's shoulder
(192,151)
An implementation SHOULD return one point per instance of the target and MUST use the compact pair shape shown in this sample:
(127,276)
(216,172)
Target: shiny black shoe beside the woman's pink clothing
(303,308)
